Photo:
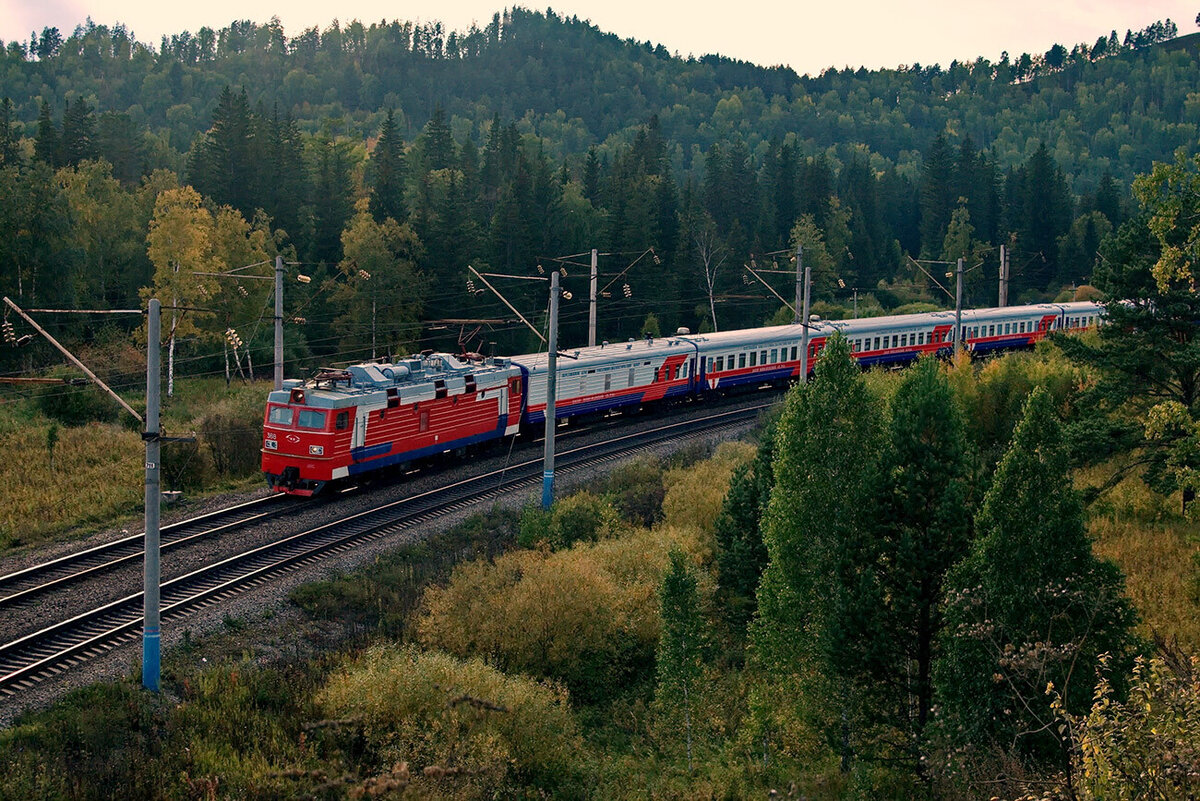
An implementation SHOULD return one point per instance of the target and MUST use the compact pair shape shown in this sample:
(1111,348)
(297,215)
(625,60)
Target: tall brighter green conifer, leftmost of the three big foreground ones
(820,533)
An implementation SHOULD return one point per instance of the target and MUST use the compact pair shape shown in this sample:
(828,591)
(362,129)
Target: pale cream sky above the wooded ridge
(807,37)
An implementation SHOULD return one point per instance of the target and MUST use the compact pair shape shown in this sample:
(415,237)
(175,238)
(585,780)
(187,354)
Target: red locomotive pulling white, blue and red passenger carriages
(344,425)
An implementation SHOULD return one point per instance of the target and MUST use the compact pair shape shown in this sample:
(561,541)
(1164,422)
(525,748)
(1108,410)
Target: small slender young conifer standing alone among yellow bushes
(679,658)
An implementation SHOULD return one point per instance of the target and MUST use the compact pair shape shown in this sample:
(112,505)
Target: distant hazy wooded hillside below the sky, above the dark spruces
(575,86)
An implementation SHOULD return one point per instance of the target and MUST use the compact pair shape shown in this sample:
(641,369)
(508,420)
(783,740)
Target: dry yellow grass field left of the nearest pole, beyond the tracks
(98,475)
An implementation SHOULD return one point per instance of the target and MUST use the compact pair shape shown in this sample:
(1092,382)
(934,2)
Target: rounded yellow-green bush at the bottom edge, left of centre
(434,712)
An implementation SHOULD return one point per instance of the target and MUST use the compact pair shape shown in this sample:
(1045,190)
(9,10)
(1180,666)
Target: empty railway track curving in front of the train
(56,649)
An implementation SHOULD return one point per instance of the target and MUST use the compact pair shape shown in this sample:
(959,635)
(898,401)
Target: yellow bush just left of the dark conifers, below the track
(694,496)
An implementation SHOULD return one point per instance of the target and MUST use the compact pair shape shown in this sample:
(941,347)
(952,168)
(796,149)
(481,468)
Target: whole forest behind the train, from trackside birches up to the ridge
(382,160)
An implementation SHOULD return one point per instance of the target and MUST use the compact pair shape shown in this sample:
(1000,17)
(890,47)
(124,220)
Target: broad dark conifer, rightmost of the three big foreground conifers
(1030,606)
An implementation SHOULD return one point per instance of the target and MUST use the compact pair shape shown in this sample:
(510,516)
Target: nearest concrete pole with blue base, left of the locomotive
(151,633)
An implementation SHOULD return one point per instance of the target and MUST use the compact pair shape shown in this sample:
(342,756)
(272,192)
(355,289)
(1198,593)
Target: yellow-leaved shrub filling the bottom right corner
(1148,748)
